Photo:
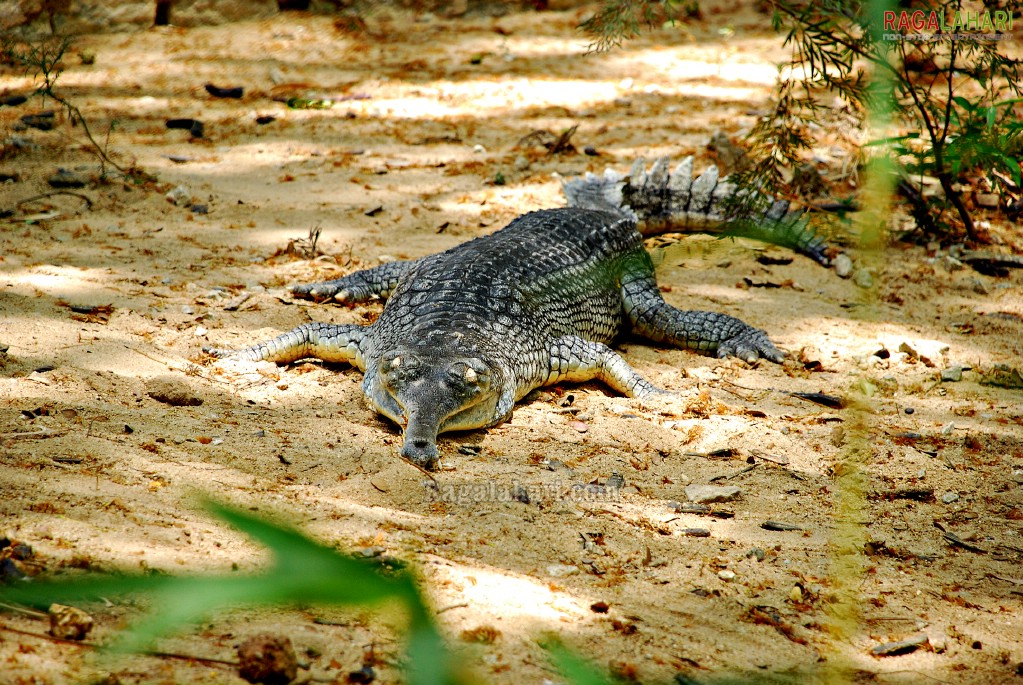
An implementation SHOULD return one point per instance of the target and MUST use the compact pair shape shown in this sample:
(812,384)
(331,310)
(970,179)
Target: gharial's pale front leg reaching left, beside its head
(331,343)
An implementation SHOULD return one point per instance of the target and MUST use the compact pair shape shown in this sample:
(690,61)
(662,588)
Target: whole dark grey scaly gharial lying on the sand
(468,333)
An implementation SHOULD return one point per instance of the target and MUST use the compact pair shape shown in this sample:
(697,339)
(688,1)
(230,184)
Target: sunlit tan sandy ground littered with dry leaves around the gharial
(428,113)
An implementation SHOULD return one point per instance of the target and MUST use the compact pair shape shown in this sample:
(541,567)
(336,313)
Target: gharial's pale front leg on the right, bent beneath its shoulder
(575,359)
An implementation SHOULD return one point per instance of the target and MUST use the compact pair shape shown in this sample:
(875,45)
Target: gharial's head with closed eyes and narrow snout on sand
(429,393)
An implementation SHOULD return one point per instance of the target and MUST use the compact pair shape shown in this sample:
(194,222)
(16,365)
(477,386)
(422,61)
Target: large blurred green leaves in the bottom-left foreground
(303,572)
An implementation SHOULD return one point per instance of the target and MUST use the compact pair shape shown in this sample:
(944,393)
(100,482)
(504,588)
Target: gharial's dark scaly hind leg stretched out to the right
(706,332)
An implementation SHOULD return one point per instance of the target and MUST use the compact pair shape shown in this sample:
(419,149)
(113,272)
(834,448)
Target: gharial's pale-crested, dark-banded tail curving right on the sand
(663,202)
